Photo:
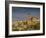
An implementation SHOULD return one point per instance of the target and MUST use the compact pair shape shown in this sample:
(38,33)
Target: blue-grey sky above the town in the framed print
(19,13)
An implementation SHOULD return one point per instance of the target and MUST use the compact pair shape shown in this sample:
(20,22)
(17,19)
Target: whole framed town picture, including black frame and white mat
(24,19)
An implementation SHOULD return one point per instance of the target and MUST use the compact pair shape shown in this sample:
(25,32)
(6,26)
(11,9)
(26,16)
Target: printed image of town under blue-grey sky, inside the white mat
(25,18)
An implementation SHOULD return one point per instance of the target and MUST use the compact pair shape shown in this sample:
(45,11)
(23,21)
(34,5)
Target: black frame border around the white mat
(7,18)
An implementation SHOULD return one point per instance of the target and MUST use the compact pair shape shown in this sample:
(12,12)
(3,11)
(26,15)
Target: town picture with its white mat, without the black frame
(24,18)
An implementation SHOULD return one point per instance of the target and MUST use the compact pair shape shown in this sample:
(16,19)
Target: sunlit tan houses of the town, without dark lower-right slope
(23,24)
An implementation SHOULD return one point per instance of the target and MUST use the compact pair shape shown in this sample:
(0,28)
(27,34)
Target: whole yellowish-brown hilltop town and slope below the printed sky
(31,23)
